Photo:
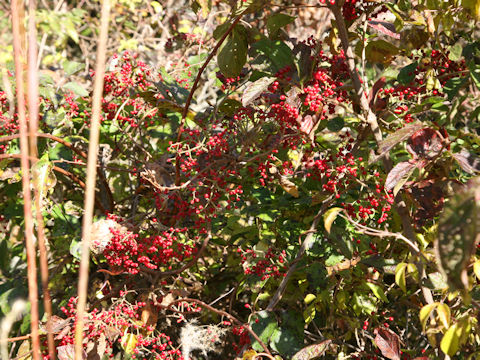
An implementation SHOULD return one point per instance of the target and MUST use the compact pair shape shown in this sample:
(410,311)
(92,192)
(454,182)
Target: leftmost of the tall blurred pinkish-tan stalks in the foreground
(25,164)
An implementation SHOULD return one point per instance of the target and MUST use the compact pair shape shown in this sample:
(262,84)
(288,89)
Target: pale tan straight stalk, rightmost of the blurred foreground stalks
(91,175)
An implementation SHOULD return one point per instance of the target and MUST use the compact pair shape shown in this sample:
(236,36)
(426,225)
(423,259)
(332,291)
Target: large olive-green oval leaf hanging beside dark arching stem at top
(232,55)
